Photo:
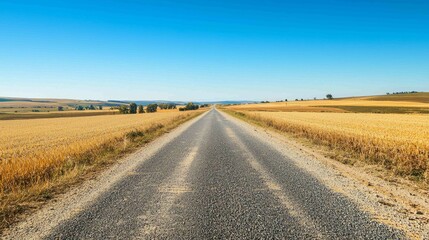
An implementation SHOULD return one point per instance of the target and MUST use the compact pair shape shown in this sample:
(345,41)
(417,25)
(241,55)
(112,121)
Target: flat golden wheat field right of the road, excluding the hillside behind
(400,142)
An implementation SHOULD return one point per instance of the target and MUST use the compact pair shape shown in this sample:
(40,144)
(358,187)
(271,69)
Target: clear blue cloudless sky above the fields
(212,50)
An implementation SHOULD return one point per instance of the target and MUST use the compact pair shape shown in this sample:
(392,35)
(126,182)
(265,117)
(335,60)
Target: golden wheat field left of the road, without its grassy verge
(31,148)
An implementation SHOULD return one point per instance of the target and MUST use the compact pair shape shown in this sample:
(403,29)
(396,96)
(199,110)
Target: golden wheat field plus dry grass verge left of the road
(40,156)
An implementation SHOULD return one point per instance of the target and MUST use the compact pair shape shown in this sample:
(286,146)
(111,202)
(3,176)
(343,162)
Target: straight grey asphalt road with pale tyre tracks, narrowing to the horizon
(217,181)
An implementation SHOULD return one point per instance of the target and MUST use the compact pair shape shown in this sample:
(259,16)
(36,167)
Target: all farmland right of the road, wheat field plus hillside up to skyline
(397,140)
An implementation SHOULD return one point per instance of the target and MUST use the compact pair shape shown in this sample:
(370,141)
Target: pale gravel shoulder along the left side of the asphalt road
(39,223)
